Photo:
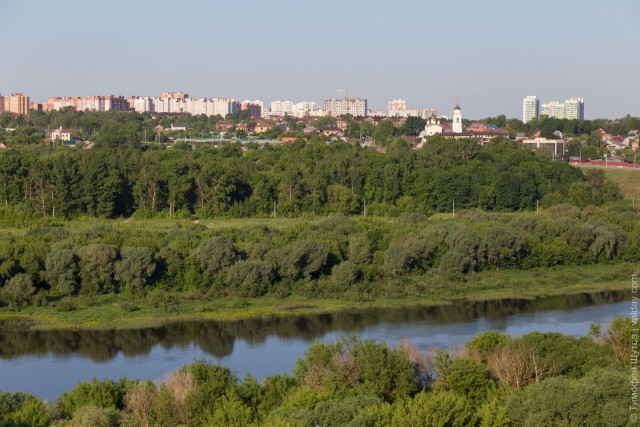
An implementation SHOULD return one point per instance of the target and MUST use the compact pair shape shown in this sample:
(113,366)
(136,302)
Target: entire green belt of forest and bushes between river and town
(153,225)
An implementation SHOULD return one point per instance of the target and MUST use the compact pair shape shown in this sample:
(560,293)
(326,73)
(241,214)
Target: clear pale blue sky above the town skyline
(494,52)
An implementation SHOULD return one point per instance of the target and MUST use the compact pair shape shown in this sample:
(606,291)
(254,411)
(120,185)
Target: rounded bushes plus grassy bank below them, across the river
(78,269)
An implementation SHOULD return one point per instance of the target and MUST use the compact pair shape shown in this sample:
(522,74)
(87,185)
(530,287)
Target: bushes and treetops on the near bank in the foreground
(540,379)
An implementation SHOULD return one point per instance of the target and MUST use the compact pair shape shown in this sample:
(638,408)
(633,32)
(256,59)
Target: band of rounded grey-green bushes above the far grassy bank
(353,257)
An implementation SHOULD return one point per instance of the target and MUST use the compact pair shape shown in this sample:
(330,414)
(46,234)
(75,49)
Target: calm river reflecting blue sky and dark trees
(47,363)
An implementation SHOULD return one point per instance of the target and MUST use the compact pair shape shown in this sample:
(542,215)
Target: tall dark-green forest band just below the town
(119,179)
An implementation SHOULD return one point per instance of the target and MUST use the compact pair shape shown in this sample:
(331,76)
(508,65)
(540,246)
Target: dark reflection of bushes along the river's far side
(217,338)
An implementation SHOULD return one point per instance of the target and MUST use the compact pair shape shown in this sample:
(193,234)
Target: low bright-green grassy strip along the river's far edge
(129,311)
